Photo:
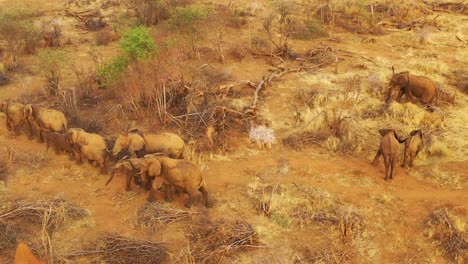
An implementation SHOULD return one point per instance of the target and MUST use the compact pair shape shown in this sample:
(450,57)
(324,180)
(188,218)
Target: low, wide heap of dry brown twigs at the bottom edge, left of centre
(118,249)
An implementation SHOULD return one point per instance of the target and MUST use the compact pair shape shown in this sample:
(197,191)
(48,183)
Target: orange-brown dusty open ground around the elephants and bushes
(394,211)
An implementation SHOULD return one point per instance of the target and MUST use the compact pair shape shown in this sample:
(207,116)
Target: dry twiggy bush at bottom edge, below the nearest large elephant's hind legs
(211,241)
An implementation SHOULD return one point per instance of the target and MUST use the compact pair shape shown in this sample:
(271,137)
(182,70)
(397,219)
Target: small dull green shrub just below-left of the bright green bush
(111,72)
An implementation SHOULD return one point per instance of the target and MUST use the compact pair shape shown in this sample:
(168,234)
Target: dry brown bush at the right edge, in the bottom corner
(450,232)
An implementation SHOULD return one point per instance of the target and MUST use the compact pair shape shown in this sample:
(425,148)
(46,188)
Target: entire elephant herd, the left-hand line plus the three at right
(154,161)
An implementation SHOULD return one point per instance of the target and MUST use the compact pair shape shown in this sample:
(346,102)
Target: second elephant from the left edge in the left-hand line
(44,119)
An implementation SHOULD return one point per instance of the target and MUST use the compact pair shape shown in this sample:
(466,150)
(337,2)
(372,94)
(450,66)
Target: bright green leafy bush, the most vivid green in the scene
(138,44)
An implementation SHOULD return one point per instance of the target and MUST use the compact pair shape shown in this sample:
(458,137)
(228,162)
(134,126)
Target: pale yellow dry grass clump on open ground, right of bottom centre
(287,205)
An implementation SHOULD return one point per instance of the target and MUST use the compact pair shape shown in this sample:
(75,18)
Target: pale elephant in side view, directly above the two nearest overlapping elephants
(138,144)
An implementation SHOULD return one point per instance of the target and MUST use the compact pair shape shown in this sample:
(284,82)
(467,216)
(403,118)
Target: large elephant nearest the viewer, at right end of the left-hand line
(181,174)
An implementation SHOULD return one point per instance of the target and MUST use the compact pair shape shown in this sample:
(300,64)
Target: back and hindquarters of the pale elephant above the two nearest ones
(168,143)
